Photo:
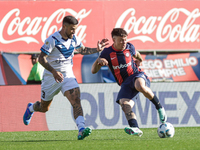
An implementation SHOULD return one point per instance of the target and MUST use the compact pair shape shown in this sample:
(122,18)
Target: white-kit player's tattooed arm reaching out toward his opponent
(100,46)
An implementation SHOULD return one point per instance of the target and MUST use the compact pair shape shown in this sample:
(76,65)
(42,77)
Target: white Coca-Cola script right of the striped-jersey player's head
(161,26)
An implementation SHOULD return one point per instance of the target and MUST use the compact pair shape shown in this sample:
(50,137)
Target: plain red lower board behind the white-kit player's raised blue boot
(14,105)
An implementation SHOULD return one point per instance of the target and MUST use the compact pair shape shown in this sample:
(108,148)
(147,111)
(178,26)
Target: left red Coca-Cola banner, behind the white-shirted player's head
(25,25)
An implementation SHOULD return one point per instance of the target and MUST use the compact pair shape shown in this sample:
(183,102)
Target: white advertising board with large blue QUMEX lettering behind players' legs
(181,101)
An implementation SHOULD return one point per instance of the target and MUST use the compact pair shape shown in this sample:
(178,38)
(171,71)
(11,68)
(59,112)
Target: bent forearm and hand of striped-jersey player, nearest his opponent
(97,64)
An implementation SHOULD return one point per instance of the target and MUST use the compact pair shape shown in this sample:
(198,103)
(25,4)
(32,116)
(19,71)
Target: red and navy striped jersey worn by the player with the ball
(121,62)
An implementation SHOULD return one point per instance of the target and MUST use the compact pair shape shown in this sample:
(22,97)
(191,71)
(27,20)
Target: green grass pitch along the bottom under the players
(185,138)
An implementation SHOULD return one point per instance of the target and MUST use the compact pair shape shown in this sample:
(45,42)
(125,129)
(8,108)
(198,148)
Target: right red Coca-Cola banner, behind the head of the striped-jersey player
(176,26)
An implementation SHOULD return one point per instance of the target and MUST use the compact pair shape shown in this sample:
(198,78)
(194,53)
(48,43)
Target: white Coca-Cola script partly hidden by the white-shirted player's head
(28,27)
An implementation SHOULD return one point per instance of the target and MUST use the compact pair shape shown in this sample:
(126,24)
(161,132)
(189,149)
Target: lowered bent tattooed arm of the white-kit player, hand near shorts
(58,76)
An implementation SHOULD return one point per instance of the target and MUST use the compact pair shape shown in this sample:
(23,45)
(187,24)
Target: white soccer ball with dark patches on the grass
(166,130)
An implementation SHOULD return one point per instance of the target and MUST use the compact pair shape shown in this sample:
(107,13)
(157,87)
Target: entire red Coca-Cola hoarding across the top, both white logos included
(25,25)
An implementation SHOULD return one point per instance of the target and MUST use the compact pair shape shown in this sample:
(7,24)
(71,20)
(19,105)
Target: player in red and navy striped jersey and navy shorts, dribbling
(124,61)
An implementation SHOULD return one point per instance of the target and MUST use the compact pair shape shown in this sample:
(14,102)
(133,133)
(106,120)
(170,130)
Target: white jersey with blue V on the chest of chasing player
(60,52)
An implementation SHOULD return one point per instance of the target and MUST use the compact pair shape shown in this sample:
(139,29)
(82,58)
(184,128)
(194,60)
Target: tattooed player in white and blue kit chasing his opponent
(56,57)
